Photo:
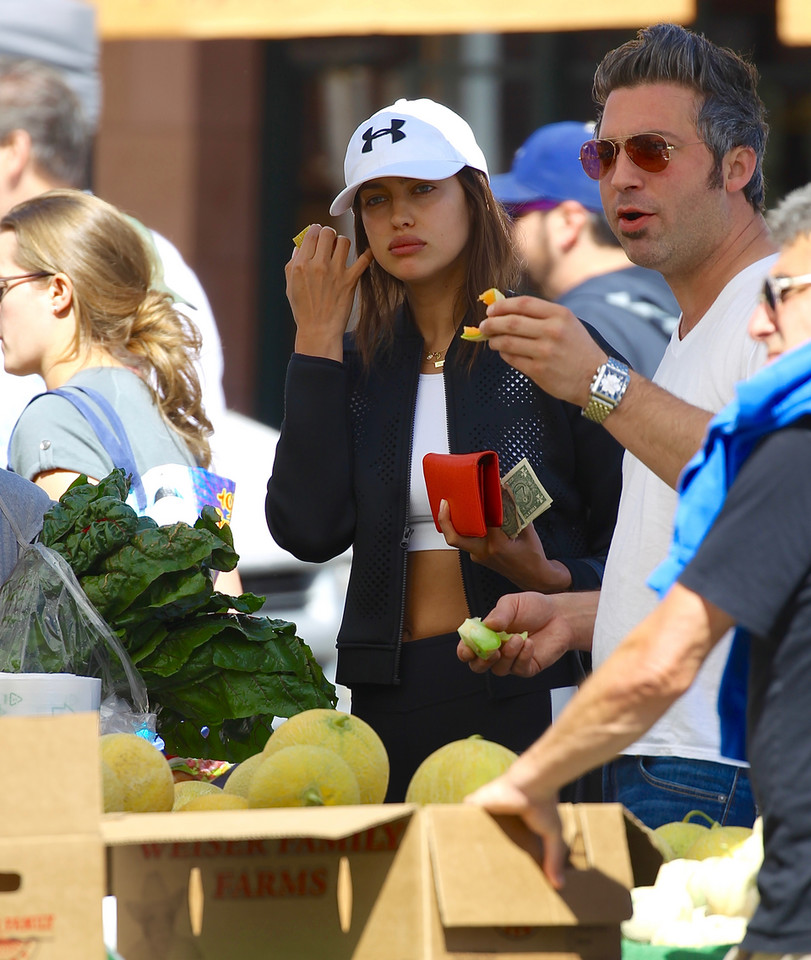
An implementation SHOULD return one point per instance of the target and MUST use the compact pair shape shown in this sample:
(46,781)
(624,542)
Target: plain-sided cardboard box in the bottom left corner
(52,869)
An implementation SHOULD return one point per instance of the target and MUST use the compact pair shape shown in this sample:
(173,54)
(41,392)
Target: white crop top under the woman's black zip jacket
(430,436)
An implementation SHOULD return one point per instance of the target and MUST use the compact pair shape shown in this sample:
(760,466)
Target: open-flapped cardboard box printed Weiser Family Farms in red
(387,882)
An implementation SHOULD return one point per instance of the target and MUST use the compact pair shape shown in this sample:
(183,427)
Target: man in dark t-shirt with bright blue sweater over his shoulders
(741,556)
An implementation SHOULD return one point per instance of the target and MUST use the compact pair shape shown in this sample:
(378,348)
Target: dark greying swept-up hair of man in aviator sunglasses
(731,113)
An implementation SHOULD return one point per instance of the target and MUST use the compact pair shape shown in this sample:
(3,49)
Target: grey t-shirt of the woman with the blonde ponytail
(51,434)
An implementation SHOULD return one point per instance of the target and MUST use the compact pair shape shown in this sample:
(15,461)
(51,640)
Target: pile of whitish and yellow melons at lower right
(705,890)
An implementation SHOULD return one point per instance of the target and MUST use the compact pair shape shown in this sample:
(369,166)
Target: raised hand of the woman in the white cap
(321,288)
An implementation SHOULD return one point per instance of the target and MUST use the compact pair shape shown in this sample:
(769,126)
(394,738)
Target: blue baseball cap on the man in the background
(546,168)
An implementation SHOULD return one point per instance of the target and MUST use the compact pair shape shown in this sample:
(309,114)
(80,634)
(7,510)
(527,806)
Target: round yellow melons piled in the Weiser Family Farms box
(319,757)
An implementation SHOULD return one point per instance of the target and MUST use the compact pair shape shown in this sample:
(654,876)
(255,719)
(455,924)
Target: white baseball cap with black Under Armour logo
(420,139)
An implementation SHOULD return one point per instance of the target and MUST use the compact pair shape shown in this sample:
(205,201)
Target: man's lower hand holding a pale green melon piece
(550,635)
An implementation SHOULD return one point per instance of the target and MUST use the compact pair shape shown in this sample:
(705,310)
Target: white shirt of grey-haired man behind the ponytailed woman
(179,277)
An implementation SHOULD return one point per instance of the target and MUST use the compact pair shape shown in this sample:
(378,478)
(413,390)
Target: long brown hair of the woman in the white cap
(491,262)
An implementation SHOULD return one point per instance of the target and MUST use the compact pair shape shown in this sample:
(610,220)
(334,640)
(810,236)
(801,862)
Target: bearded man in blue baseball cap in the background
(570,253)
